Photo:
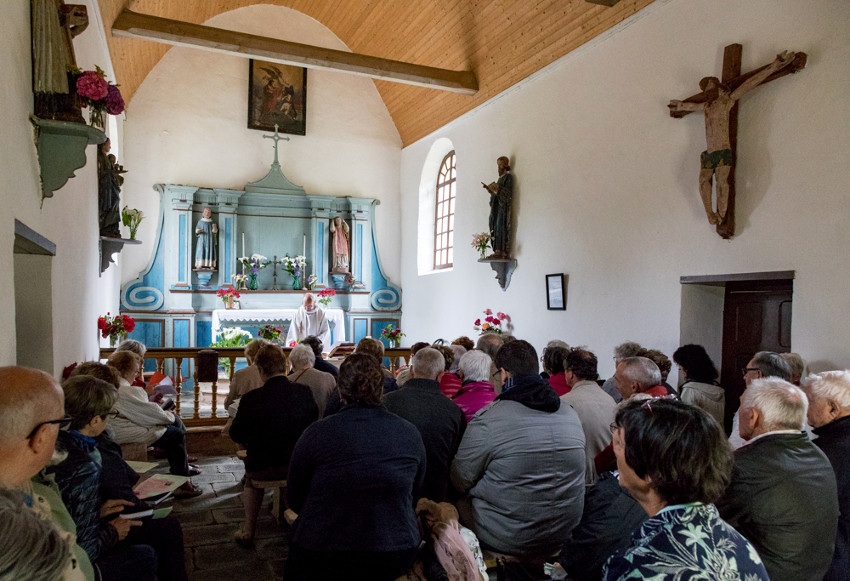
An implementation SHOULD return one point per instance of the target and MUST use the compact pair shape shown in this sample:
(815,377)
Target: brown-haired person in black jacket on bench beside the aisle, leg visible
(269,422)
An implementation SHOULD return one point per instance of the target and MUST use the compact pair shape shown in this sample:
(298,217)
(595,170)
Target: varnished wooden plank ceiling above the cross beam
(501,41)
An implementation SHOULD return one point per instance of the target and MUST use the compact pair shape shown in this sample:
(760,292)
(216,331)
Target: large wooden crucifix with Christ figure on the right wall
(719,102)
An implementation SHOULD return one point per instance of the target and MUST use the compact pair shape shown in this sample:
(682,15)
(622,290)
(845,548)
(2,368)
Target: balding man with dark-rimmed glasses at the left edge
(31,414)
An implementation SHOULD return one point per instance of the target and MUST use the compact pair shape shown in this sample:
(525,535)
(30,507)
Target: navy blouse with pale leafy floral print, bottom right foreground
(687,541)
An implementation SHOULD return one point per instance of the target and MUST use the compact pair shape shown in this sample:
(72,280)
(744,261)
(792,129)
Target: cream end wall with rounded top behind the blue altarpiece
(187,125)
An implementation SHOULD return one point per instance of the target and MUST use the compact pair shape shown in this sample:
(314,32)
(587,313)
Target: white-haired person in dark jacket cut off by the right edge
(829,415)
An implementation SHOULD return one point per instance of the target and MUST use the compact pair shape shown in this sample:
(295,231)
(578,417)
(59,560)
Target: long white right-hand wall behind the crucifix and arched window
(606,183)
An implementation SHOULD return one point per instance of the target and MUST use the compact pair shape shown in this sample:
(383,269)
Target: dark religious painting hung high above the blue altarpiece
(277,95)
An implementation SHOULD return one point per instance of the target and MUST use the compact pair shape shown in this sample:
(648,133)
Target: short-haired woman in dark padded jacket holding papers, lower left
(90,404)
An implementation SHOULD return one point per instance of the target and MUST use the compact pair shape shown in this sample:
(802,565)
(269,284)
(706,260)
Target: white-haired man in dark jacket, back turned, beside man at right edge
(782,496)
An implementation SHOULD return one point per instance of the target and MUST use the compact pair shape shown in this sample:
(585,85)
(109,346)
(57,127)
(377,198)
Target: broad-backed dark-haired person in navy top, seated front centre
(352,480)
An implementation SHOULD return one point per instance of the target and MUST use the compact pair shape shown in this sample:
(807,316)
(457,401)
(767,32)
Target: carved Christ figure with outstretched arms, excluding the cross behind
(718,159)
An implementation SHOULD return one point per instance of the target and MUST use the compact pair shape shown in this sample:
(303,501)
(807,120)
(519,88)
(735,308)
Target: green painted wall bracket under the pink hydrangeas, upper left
(61,149)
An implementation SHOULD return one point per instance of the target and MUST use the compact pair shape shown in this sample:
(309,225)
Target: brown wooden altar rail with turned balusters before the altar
(179,354)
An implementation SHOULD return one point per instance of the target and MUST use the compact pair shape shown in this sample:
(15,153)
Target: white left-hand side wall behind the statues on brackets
(69,219)
